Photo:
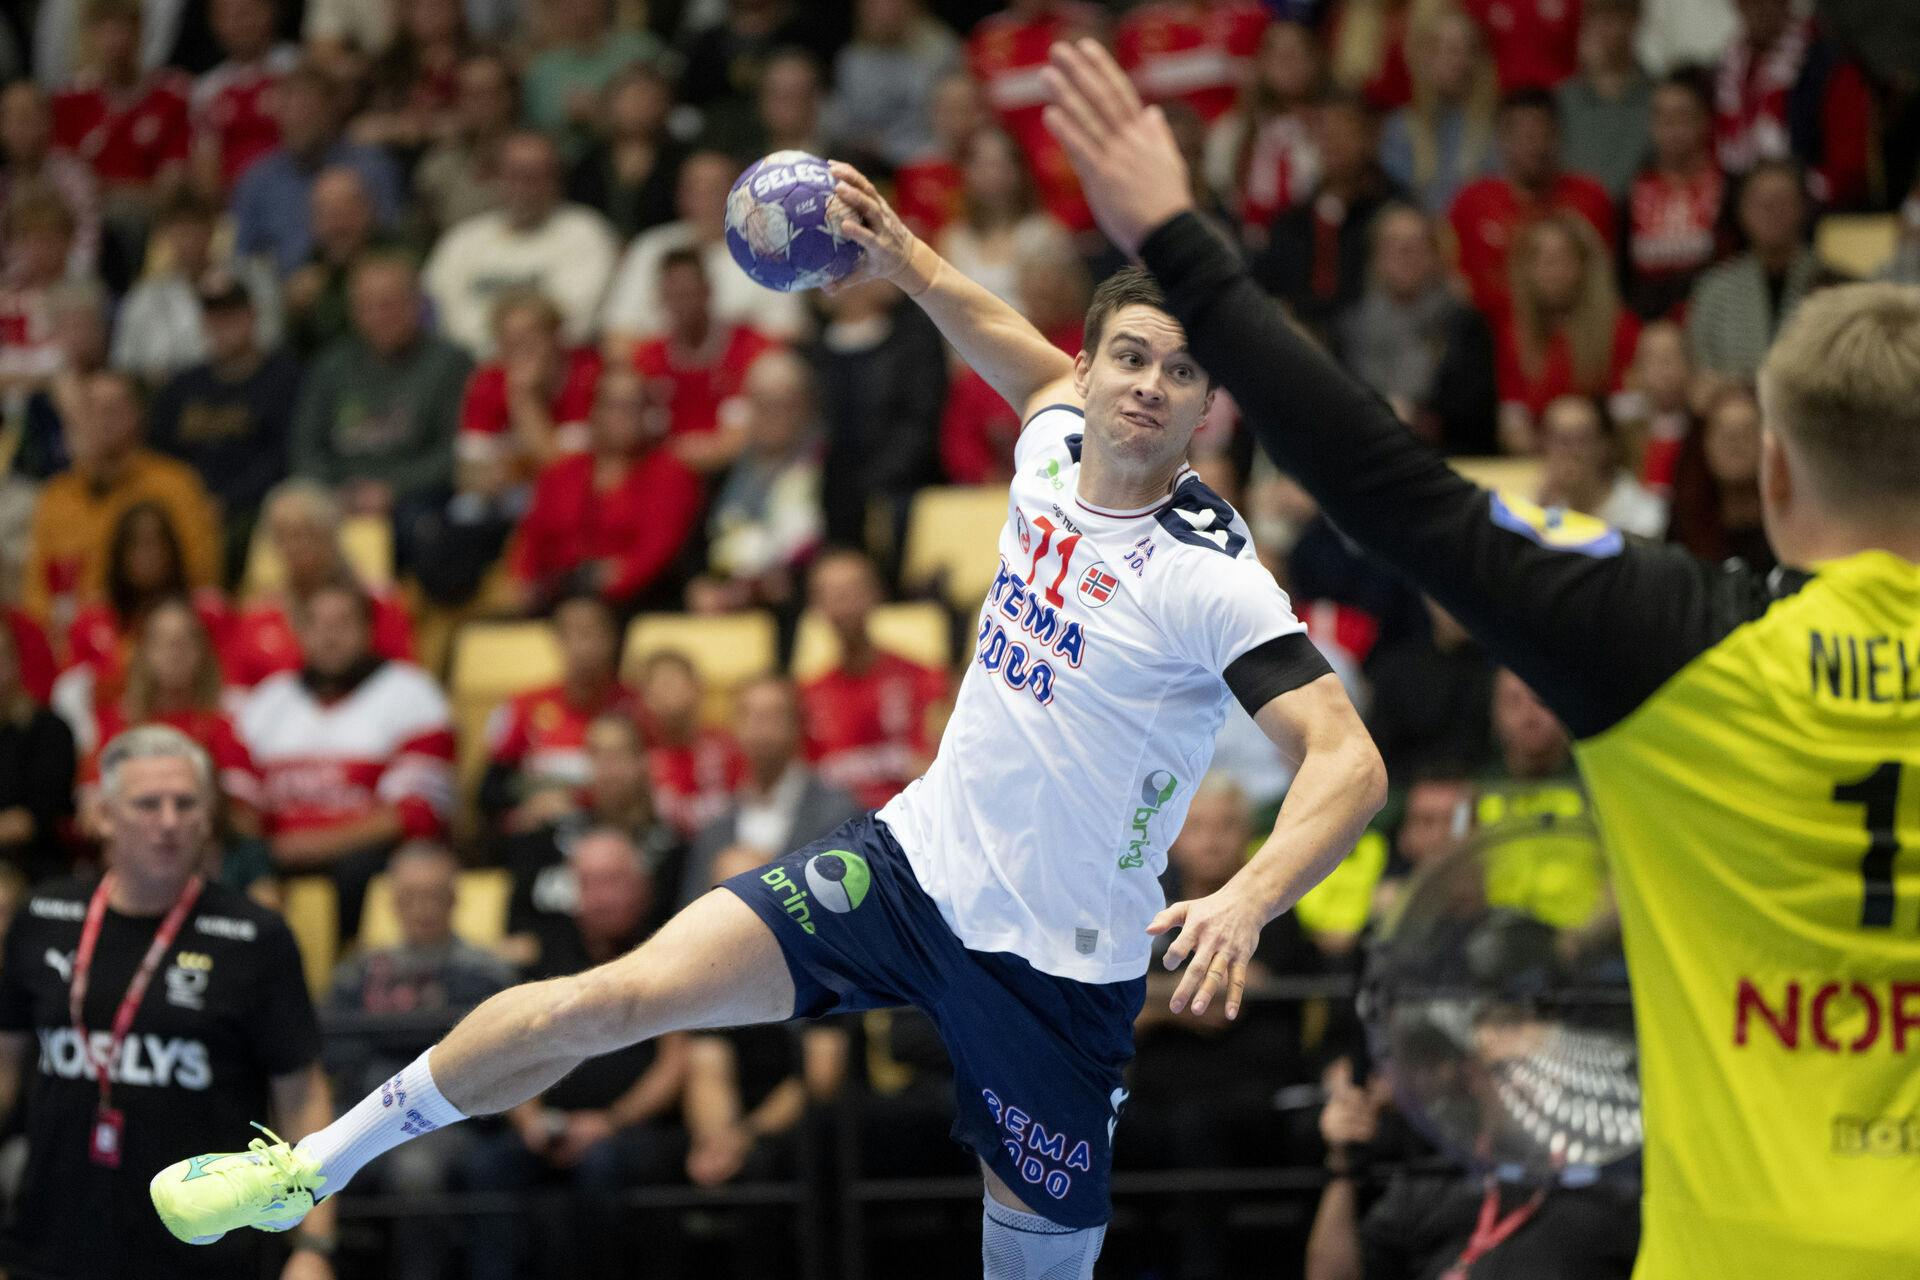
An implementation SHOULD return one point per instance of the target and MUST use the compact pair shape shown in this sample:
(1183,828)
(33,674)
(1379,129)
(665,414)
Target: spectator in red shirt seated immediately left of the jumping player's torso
(867,719)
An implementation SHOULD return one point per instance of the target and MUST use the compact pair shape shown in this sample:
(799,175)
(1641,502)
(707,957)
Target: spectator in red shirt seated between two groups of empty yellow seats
(539,742)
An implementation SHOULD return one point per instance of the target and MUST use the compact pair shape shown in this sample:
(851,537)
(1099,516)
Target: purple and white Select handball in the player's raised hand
(784,224)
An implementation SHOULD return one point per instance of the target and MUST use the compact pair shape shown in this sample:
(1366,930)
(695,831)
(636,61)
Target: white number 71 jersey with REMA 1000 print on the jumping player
(1088,715)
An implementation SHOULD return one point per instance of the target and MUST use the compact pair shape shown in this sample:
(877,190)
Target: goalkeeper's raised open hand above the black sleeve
(1126,156)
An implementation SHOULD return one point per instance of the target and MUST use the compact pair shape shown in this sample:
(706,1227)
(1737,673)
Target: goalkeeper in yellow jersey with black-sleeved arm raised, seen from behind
(1752,742)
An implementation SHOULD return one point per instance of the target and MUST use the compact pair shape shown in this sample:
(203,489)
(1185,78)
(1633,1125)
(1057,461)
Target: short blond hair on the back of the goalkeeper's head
(1844,385)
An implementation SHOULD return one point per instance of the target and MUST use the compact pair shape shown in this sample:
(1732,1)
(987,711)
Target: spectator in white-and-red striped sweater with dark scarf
(356,751)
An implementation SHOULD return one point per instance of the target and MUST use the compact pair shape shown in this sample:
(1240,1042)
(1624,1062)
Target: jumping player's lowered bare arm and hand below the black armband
(1337,790)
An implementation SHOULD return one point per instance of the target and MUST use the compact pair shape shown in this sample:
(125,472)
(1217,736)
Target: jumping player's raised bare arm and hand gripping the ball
(996,341)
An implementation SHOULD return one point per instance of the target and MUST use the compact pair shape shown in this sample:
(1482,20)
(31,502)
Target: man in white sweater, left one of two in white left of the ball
(533,241)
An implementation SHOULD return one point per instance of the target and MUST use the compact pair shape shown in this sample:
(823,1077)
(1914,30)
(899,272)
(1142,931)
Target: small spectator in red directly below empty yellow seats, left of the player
(696,769)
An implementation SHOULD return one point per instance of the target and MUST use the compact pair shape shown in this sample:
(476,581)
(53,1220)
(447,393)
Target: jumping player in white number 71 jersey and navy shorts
(1013,891)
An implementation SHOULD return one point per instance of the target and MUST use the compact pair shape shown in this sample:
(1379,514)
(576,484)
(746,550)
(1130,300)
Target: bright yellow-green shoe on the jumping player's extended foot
(266,1187)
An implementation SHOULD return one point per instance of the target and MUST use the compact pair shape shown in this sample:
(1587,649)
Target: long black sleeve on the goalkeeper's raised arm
(1595,628)
